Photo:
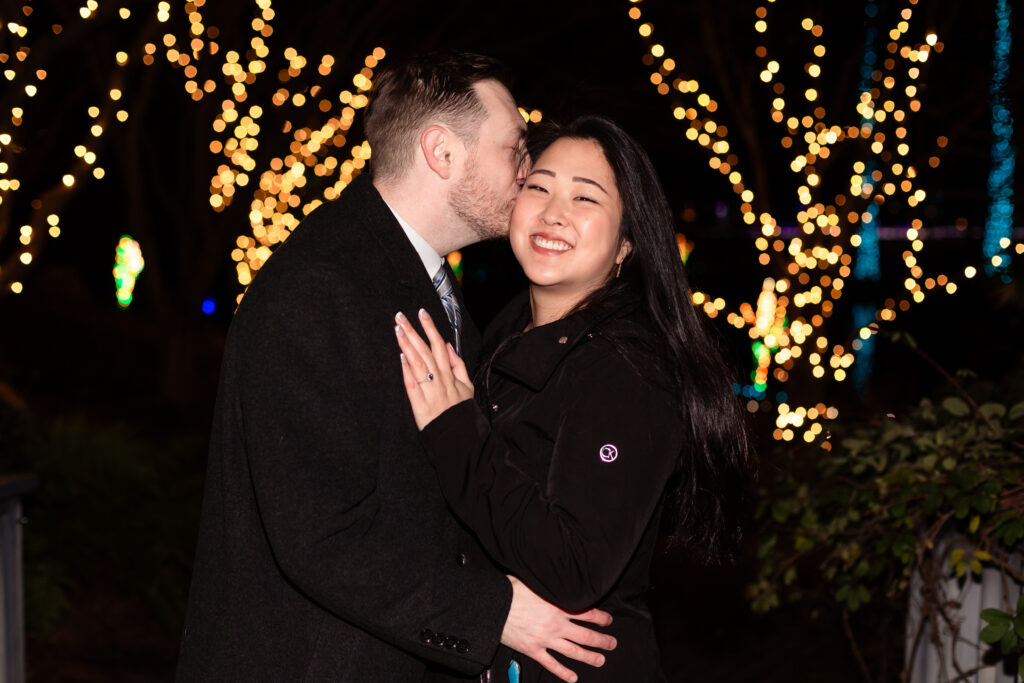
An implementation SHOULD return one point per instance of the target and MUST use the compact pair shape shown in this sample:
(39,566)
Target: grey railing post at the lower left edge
(12,606)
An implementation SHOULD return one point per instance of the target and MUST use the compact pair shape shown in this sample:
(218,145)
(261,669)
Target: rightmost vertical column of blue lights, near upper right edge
(1001,179)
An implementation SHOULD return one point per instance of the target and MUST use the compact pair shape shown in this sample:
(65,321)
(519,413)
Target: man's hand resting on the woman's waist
(535,626)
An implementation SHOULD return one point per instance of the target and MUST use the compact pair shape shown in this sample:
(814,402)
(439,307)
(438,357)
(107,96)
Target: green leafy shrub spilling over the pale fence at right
(940,487)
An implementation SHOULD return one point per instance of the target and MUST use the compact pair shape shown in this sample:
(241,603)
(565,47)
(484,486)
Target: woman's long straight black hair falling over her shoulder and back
(705,507)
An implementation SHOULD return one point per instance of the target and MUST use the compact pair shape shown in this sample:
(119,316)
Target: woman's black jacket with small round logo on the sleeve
(561,468)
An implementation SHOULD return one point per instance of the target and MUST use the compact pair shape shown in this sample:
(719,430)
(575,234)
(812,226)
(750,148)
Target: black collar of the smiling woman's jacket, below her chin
(533,357)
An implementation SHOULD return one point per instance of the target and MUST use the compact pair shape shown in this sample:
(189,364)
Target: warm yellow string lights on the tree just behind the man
(280,198)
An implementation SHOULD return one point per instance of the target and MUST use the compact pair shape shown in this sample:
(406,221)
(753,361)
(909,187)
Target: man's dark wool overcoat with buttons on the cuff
(326,551)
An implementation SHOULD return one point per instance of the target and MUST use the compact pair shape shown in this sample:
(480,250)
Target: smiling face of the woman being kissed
(566,223)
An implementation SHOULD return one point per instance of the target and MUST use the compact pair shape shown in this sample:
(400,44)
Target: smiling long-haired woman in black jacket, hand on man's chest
(607,403)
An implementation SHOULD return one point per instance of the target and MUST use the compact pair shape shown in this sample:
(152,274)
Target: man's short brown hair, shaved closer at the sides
(424,91)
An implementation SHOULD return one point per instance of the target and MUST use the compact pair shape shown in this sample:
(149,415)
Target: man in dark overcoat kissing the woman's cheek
(326,551)
